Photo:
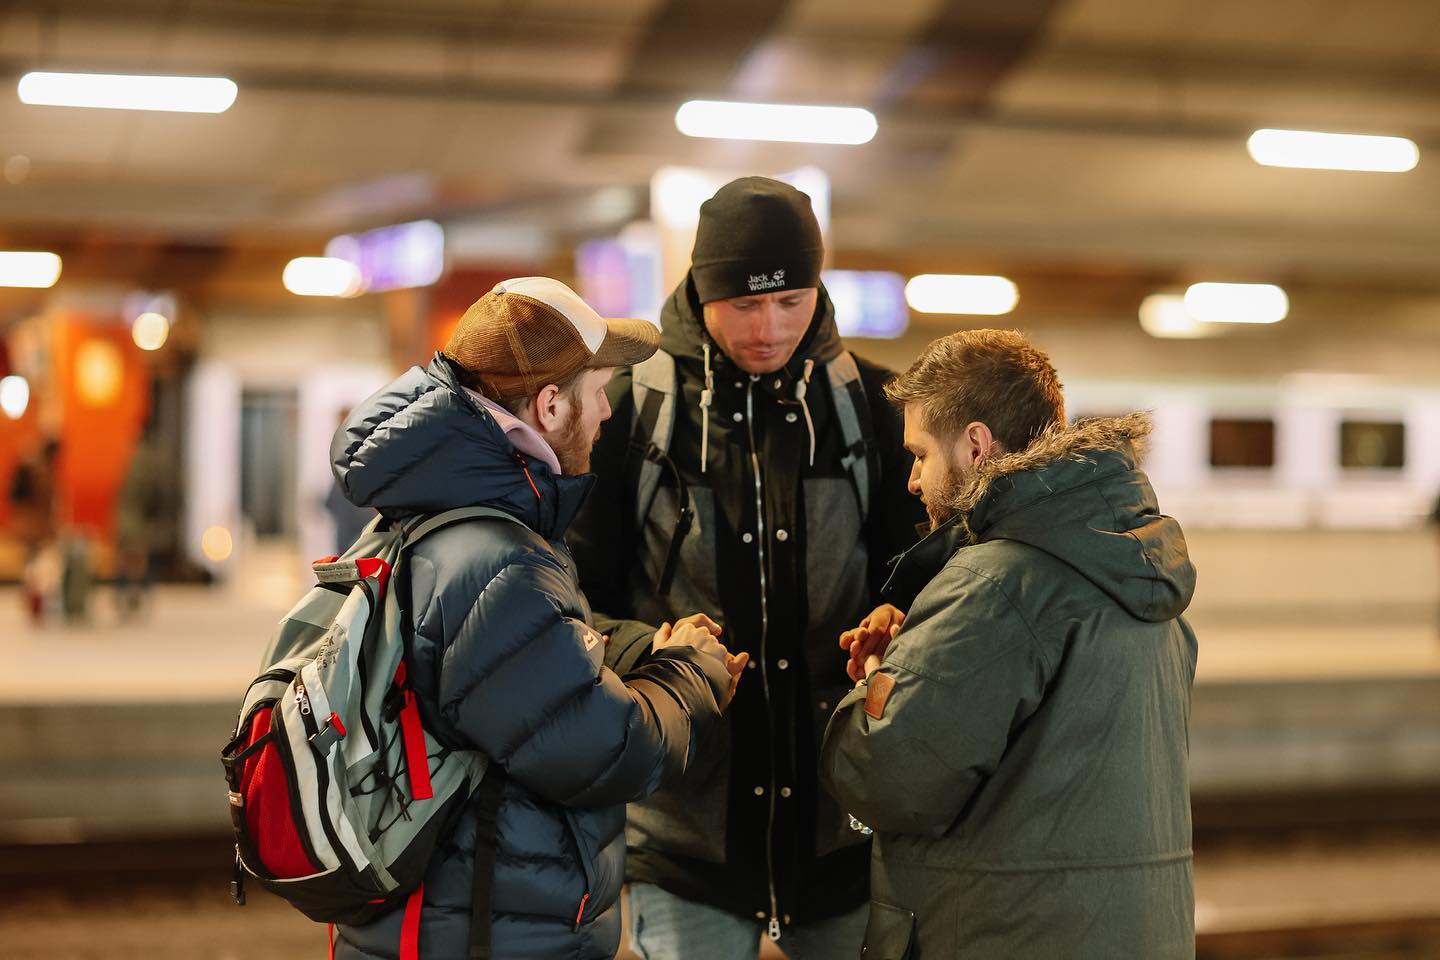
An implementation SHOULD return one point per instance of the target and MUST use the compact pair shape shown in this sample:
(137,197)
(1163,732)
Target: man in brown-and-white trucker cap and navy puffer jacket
(500,641)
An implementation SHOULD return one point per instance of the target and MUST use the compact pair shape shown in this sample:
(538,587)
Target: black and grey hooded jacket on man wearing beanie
(786,563)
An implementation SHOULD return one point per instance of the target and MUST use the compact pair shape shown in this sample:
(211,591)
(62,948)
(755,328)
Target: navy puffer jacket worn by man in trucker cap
(505,660)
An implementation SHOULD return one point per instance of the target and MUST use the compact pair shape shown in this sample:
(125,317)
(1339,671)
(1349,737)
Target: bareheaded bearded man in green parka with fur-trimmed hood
(1019,739)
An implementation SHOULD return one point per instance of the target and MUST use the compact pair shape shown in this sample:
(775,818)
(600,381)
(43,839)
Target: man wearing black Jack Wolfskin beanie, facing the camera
(754,471)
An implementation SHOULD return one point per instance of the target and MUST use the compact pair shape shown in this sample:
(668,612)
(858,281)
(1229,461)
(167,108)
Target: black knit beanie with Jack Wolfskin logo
(757,235)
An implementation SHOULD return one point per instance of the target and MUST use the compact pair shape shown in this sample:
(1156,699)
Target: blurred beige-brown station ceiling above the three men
(1040,132)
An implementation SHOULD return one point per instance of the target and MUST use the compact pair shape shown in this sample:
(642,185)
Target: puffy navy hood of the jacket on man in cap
(423,445)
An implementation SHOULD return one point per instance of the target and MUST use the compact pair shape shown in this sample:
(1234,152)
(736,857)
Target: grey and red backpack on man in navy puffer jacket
(339,794)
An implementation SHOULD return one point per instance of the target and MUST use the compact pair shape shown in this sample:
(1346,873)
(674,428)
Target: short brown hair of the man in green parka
(993,376)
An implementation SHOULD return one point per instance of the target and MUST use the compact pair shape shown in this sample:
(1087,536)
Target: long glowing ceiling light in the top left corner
(125,91)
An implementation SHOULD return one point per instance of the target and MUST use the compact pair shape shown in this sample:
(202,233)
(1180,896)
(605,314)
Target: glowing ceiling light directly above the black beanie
(787,123)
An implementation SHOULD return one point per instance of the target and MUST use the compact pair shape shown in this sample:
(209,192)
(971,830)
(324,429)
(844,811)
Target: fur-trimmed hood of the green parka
(1076,493)
